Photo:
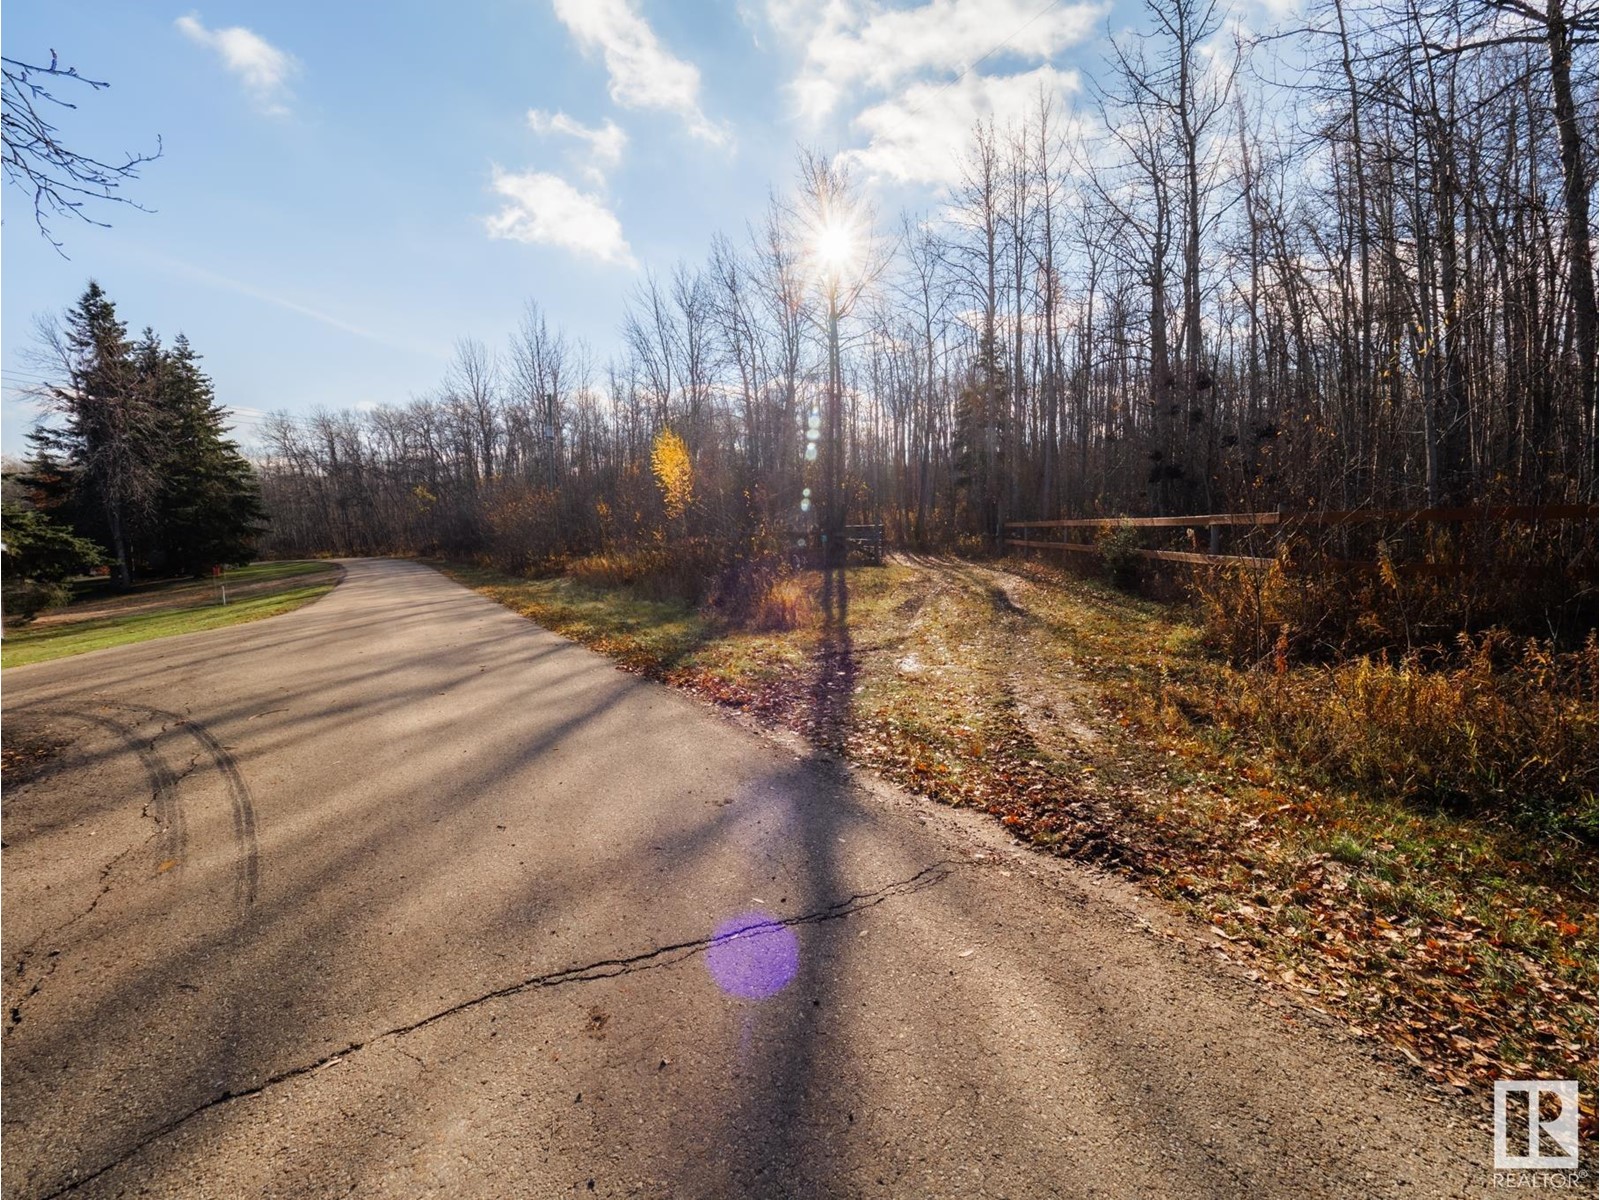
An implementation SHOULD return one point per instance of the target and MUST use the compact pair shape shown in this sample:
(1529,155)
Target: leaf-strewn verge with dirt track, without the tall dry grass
(1076,716)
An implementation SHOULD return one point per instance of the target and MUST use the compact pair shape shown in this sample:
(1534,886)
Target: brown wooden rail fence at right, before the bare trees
(1281,522)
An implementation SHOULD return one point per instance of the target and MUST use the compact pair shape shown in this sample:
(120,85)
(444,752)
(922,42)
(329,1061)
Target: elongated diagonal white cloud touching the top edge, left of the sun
(644,74)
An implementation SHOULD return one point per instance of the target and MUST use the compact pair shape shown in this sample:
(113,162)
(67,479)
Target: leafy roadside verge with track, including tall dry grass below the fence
(1284,809)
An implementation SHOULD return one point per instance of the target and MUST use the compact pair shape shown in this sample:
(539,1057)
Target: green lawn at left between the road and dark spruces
(167,609)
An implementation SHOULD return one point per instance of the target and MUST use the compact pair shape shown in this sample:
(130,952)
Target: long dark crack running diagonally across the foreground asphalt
(606,969)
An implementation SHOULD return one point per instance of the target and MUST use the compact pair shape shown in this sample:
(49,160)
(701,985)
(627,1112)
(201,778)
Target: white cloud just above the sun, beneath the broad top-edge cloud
(919,137)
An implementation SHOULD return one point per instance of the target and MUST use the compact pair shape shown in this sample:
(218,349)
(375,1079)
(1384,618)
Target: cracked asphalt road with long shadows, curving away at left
(402,895)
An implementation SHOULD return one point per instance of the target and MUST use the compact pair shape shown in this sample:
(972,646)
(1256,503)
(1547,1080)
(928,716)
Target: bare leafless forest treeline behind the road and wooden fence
(1345,266)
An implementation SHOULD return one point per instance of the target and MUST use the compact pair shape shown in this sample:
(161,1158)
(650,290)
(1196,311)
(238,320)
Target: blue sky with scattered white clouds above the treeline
(348,188)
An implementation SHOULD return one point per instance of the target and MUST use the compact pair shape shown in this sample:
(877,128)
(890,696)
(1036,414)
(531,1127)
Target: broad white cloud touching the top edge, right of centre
(854,44)
